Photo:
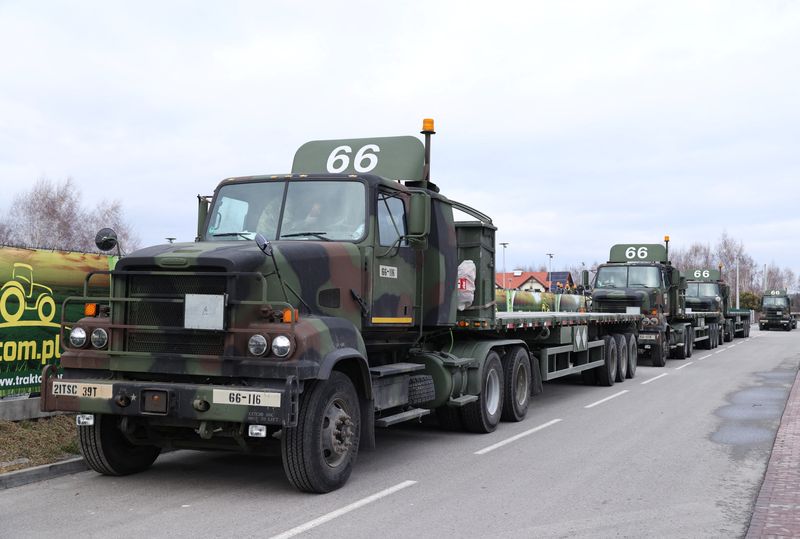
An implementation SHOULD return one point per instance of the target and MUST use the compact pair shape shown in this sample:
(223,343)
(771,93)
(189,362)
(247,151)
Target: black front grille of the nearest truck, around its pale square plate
(149,313)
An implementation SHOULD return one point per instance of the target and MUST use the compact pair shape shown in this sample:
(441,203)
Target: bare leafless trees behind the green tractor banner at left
(51,216)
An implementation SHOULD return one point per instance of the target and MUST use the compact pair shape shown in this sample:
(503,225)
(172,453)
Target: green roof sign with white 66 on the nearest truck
(397,158)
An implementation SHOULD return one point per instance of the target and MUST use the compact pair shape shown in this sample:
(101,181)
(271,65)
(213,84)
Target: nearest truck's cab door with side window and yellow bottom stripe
(394,275)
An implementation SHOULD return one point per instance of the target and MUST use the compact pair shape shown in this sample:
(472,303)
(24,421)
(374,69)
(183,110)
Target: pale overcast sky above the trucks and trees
(575,125)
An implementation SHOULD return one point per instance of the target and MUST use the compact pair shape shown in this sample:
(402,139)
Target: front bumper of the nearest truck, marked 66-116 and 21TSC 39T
(270,403)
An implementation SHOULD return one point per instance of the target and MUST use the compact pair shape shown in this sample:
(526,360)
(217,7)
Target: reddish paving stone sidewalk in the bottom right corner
(777,509)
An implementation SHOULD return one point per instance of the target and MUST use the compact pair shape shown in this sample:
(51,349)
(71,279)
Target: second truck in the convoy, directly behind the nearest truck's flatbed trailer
(640,279)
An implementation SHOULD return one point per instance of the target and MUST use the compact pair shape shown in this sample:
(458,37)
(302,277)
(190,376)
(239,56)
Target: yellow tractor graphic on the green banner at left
(21,294)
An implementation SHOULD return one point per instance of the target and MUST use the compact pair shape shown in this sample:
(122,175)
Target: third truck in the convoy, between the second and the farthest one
(707,292)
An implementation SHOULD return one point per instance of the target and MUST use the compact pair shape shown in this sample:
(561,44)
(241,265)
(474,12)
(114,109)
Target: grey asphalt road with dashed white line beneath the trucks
(678,451)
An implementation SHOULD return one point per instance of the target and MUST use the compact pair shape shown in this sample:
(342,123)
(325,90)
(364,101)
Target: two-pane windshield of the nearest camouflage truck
(297,209)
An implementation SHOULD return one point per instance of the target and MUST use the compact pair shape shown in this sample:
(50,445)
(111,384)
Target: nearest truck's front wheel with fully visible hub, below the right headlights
(319,453)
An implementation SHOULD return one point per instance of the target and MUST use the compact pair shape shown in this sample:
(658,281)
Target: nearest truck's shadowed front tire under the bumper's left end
(106,450)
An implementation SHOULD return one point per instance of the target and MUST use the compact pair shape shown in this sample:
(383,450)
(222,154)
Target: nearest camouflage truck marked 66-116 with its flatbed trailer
(312,308)
